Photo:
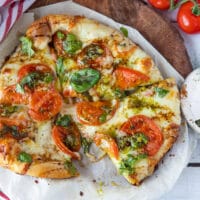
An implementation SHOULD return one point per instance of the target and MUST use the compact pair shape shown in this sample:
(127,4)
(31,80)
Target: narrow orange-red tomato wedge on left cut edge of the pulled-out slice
(108,144)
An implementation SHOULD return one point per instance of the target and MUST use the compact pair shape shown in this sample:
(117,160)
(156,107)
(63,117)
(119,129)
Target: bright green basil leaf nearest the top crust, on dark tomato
(71,45)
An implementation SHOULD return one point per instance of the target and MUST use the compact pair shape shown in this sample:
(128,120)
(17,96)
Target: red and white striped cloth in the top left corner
(10,11)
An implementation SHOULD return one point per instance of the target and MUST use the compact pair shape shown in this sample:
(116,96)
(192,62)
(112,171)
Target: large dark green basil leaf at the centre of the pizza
(84,79)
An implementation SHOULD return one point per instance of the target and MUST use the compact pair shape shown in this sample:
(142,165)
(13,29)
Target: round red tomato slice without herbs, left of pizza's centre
(44,105)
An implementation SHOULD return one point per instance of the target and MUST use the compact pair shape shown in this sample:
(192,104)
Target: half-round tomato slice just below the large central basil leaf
(95,113)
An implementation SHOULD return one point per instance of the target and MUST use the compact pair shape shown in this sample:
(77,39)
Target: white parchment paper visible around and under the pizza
(100,180)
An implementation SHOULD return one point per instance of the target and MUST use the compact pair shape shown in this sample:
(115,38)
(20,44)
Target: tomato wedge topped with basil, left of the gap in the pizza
(66,136)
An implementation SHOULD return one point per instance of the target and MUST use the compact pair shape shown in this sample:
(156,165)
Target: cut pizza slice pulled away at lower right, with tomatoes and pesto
(137,132)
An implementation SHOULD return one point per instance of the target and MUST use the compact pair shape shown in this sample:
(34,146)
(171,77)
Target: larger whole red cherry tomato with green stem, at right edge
(187,20)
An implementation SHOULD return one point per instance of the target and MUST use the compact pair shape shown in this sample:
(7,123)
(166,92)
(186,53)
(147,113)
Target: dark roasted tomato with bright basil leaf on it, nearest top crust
(66,43)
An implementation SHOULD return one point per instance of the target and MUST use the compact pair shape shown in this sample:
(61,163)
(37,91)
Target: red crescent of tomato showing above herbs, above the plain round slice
(34,67)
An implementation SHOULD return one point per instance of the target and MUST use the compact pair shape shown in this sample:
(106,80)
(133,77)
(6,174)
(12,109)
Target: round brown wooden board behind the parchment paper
(152,25)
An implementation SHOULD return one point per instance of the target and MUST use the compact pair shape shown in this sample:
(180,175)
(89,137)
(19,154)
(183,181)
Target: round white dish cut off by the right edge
(190,99)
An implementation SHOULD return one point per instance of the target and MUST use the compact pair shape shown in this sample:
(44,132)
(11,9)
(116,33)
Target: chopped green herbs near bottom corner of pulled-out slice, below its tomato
(127,164)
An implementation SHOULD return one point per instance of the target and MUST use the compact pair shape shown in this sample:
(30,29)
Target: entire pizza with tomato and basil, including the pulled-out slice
(73,82)
